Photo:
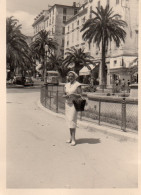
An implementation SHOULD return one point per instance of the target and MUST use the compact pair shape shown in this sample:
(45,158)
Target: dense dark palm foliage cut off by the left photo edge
(16,47)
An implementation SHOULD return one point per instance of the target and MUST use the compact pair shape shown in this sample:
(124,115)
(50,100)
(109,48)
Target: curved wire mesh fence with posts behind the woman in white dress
(117,112)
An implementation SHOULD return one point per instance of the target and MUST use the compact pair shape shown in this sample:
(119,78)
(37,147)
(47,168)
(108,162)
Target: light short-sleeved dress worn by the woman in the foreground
(70,112)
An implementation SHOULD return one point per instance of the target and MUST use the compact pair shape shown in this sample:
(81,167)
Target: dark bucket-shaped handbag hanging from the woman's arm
(79,104)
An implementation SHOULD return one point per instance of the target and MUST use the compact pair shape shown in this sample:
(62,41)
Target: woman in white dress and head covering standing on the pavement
(72,92)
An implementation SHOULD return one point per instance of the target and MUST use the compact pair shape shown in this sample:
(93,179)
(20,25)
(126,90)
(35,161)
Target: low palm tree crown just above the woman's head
(78,58)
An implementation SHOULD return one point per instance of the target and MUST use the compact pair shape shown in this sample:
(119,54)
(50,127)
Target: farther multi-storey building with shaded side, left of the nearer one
(53,20)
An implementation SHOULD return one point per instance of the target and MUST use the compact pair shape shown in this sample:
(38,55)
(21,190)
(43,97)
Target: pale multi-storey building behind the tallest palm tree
(118,60)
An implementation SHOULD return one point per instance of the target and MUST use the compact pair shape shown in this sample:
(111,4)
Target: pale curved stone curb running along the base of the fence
(119,134)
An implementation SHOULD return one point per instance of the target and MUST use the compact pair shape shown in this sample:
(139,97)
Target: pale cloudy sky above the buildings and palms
(26,10)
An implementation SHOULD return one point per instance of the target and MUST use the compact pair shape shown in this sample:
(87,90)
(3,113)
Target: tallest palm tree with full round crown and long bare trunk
(102,29)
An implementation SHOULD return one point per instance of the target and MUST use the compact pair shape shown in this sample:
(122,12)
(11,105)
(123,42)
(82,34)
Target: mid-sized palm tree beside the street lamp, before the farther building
(38,47)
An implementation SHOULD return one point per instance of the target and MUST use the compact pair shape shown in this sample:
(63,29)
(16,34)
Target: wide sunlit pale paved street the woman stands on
(38,157)
